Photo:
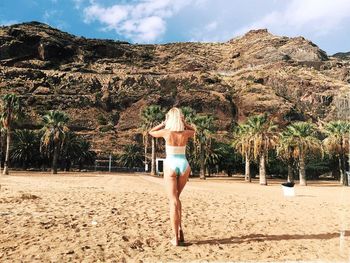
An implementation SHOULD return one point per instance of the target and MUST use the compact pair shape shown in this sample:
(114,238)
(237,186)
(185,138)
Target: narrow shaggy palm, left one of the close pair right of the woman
(242,143)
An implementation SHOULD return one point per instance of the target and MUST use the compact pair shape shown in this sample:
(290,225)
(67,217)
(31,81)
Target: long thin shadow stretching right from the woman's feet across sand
(262,238)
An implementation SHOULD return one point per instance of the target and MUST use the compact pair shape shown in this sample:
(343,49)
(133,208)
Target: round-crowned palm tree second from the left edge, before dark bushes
(55,128)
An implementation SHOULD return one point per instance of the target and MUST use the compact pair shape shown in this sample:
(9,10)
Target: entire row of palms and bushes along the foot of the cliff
(258,143)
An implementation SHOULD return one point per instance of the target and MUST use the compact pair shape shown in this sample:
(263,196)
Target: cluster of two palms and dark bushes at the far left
(54,142)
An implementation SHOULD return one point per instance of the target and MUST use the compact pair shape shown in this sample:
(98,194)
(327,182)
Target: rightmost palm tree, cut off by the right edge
(335,143)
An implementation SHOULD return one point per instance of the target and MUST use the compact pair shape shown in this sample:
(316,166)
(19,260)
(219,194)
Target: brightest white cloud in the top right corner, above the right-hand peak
(318,17)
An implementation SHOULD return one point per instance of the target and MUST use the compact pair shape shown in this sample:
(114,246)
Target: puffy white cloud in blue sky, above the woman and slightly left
(143,21)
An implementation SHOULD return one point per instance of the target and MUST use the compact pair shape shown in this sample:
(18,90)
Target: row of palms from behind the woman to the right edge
(258,140)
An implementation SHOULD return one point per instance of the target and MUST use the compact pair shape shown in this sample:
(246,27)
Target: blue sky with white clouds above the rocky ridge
(324,22)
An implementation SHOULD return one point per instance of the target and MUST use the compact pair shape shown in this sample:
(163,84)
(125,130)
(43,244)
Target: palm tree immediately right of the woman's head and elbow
(204,129)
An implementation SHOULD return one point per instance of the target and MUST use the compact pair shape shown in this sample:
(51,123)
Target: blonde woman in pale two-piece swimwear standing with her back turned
(176,133)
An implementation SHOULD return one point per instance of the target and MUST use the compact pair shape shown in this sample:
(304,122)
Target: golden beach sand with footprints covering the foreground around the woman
(96,217)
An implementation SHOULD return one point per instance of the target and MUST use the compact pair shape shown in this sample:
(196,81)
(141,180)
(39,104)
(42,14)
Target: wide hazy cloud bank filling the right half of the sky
(314,19)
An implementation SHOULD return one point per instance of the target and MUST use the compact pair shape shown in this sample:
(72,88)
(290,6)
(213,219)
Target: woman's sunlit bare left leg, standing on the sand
(171,188)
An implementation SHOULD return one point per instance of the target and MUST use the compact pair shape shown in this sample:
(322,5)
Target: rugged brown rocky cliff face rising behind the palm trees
(103,85)
